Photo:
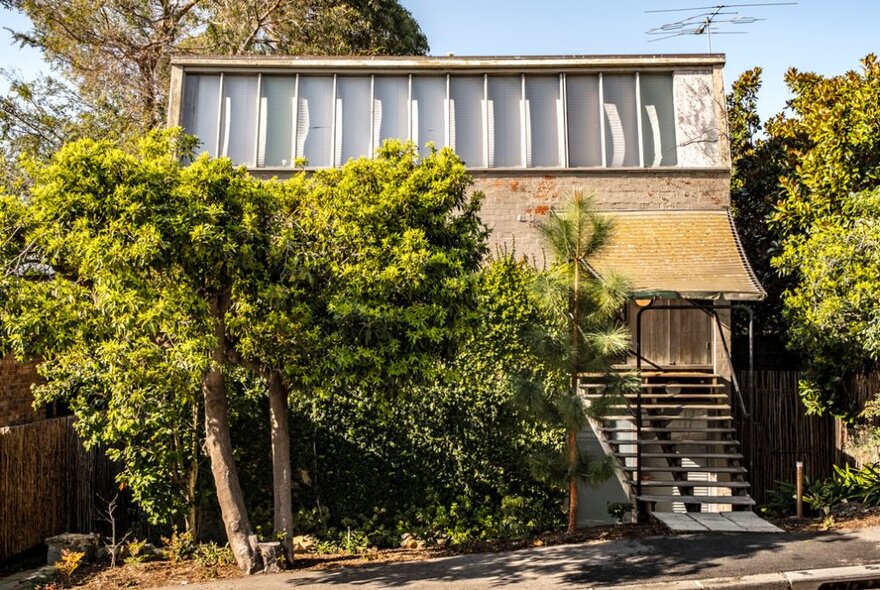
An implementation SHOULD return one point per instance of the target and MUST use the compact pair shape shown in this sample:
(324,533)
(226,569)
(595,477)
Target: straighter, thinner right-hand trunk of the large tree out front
(278,423)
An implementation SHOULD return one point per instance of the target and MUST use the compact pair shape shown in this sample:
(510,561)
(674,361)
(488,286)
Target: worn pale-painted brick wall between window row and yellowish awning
(514,203)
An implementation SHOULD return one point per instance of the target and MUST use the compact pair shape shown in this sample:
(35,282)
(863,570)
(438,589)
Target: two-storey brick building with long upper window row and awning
(646,135)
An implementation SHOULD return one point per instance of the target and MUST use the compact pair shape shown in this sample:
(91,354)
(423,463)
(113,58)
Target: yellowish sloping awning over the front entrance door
(679,254)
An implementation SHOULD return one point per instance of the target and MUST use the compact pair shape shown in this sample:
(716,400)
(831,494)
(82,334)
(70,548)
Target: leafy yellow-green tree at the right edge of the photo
(826,216)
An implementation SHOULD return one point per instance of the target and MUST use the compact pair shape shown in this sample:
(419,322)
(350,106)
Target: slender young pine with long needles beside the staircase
(585,337)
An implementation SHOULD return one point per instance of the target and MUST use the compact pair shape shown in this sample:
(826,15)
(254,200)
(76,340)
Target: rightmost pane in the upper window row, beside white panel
(658,120)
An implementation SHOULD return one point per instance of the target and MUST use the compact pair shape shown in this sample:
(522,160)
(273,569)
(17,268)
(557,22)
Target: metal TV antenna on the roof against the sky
(707,20)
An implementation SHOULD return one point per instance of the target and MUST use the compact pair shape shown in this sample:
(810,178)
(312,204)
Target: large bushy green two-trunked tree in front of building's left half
(350,275)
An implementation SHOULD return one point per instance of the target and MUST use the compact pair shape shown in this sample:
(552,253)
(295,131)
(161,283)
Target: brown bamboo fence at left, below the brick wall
(49,484)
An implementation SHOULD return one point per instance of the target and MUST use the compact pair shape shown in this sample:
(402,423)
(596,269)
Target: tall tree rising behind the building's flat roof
(116,52)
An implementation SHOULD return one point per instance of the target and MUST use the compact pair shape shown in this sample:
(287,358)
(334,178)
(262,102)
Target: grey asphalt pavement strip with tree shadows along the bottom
(596,564)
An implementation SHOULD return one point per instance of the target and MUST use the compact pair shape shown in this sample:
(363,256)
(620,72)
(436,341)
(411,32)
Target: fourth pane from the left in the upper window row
(315,120)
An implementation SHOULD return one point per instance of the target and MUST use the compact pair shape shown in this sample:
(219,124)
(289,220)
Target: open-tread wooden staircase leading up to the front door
(690,458)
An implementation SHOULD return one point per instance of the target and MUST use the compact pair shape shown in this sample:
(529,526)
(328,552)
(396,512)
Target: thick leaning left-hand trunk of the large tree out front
(218,441)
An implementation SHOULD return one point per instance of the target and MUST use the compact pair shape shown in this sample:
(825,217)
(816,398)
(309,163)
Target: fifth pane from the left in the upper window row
(352,118)
